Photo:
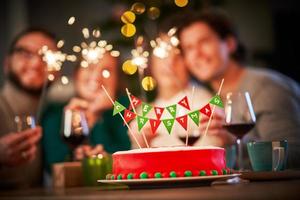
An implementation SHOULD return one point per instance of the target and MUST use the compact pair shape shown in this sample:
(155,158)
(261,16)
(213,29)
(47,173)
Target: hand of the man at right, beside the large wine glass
(216,127)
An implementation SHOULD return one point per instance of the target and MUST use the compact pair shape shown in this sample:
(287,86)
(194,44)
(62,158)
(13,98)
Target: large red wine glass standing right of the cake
(239,119)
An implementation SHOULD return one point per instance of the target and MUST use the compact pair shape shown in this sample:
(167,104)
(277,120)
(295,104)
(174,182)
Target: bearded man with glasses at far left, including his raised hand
(26,72)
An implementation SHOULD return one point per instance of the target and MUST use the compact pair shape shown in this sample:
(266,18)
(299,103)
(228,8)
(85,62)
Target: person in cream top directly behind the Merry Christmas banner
(173,84)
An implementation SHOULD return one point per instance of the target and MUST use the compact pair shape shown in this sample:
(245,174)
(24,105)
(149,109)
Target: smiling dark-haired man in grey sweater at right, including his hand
(213,51)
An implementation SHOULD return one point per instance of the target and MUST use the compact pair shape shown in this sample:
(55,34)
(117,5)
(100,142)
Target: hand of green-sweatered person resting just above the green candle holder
(87,151)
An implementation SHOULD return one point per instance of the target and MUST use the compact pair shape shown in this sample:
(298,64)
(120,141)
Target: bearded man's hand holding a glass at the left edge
(19,148)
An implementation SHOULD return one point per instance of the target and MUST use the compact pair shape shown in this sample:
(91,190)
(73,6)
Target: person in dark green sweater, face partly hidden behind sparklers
(107,133)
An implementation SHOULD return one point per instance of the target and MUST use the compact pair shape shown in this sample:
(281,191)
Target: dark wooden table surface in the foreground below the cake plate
(275,189)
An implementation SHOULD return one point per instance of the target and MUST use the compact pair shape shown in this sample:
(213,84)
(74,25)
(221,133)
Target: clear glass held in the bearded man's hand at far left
(23,122)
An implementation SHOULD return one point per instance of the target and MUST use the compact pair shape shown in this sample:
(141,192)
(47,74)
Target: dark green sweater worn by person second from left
(109,131)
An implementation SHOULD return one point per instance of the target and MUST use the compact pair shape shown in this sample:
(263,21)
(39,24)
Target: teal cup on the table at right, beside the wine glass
(268,155)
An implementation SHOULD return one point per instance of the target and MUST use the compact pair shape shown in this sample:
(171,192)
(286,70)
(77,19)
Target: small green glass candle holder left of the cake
(95,168)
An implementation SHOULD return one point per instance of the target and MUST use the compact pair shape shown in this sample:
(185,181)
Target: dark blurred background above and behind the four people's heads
(268,28)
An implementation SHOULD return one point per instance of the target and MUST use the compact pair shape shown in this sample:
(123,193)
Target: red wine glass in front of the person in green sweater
(75,128)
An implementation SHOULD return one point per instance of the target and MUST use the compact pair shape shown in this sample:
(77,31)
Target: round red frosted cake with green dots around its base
(165,162)
